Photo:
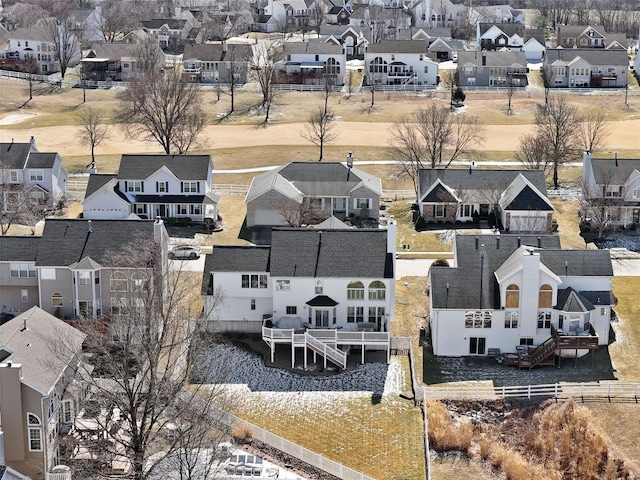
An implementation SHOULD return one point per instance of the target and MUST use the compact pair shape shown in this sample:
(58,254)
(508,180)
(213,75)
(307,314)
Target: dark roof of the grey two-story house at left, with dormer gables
(65,242)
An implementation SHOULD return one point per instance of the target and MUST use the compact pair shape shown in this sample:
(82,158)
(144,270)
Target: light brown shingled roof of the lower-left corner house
(34,347)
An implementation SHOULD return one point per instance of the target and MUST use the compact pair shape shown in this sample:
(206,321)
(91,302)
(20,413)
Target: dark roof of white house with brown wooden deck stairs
(464,282)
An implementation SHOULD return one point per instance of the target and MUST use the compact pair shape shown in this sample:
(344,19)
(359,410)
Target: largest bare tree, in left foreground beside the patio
(146,353)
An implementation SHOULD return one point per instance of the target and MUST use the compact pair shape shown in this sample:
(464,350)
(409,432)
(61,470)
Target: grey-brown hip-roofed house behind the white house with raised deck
(302,191)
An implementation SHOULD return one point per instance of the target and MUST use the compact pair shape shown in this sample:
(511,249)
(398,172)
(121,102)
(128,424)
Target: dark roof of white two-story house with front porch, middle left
(184,167)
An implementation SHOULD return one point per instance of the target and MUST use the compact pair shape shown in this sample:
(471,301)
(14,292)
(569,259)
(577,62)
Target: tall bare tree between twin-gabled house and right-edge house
(559,130)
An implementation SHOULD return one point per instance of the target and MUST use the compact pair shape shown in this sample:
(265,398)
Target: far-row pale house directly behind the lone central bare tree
(312,63)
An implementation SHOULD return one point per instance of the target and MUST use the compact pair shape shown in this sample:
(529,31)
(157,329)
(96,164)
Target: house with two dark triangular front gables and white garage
(517,199)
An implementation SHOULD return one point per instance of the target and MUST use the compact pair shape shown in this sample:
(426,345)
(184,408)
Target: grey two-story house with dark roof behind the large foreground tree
(88,268)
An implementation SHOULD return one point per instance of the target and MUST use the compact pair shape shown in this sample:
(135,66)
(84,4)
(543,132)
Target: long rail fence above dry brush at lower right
(585,392)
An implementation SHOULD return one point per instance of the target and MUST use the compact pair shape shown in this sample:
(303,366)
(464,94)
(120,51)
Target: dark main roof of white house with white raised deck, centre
(330,253)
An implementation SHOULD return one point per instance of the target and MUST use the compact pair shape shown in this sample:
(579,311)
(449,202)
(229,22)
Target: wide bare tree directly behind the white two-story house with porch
(166,109)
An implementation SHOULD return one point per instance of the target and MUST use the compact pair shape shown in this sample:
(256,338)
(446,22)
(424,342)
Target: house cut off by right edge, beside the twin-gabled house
(611,191)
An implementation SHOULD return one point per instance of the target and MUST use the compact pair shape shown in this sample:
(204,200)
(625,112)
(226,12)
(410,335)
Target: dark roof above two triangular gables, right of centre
(478,179)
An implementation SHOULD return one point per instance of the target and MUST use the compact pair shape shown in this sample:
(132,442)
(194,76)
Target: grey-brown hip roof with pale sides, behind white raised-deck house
(313,179)
